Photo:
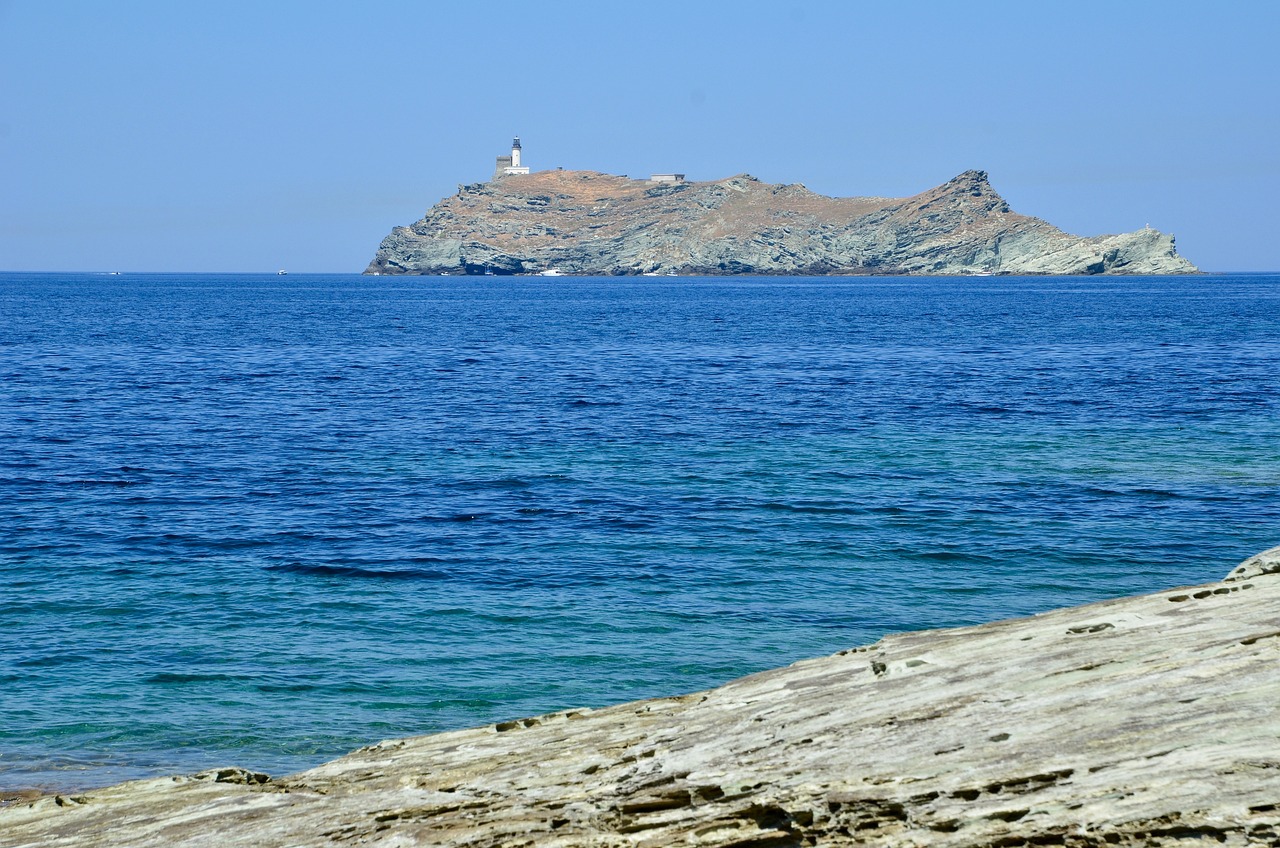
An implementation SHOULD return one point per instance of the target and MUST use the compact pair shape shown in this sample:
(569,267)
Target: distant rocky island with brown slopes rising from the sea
(591,224)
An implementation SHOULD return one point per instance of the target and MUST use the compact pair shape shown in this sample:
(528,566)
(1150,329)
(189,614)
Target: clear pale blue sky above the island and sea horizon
(255,135)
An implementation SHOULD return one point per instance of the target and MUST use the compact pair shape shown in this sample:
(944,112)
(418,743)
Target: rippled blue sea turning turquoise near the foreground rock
(264,521)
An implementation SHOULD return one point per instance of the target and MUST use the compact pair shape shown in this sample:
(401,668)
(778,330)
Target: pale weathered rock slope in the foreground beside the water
(1141,722)
